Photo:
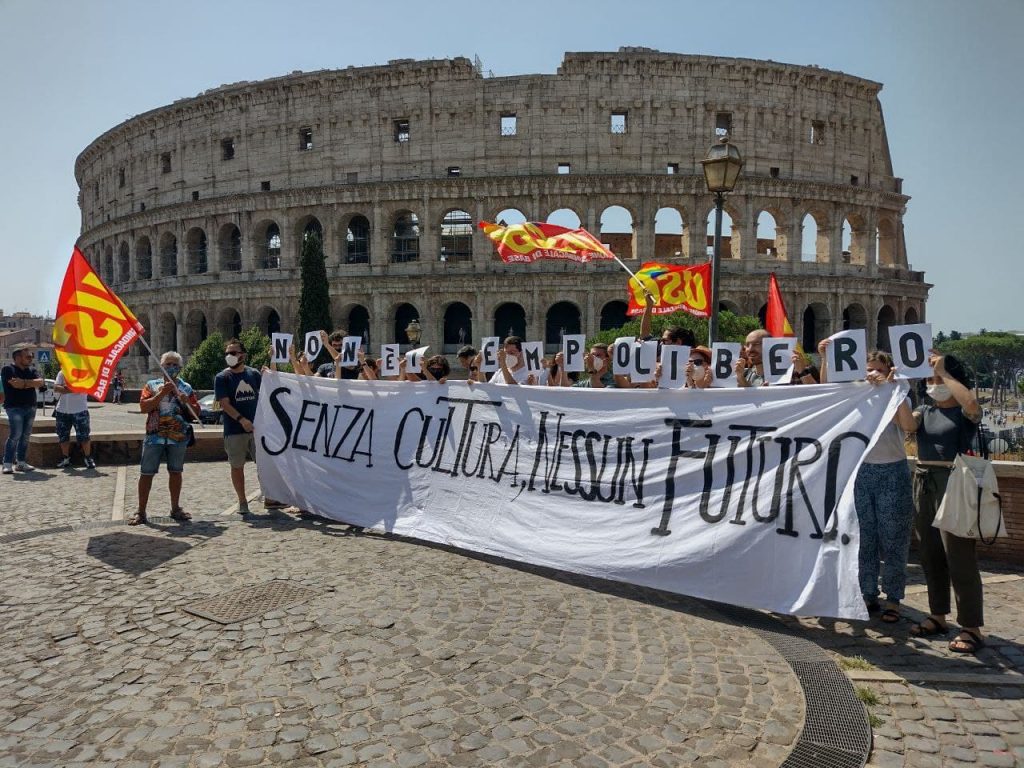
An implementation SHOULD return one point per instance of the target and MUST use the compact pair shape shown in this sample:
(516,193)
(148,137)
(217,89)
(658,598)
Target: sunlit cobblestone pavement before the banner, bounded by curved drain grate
(397,654)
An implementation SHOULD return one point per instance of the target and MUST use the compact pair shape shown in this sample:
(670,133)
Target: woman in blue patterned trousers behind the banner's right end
(884,500)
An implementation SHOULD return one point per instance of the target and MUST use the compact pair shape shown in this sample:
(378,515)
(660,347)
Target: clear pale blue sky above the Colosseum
(953,100)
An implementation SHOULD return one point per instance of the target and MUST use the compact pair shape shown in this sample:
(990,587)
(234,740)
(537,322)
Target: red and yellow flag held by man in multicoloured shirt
(93,329)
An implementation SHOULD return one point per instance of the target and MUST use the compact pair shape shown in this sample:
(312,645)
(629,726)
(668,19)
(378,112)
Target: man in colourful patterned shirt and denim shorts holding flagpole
(170,405)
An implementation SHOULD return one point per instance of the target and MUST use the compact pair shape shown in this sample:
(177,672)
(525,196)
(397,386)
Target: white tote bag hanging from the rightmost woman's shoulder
(971,507)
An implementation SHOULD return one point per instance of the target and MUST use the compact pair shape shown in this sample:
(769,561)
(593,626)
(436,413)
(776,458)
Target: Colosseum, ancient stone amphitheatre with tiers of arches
(196,212)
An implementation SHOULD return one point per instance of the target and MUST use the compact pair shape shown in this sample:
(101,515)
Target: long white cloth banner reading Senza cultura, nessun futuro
(742,496)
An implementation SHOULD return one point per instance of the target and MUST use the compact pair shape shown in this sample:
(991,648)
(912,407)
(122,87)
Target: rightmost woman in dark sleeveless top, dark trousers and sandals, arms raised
(946,425)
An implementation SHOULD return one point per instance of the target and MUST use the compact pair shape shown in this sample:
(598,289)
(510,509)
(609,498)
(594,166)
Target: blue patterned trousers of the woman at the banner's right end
(885,510)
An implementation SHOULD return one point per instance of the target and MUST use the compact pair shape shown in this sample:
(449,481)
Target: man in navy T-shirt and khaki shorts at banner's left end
(237,389)
